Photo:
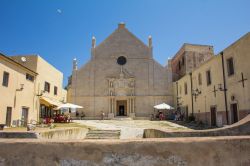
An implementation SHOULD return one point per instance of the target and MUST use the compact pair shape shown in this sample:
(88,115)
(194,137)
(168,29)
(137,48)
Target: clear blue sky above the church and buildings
(59,30)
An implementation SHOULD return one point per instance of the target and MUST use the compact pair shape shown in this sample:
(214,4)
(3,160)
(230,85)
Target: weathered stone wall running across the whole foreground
(206,151)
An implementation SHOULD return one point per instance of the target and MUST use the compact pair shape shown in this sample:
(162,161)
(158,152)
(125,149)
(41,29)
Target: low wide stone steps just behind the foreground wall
(103,134)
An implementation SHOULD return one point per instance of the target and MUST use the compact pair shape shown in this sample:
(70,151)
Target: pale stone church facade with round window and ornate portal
(120,79)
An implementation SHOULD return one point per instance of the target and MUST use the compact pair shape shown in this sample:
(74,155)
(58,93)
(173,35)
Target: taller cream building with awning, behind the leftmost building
(49,92)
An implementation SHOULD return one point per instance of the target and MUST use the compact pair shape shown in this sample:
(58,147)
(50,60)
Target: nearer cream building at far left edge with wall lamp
(17,87)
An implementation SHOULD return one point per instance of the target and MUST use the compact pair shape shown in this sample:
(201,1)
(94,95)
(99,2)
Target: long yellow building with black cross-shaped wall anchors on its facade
(217,91)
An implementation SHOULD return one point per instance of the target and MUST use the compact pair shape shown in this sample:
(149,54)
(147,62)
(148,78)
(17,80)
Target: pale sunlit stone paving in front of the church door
(131,129)
